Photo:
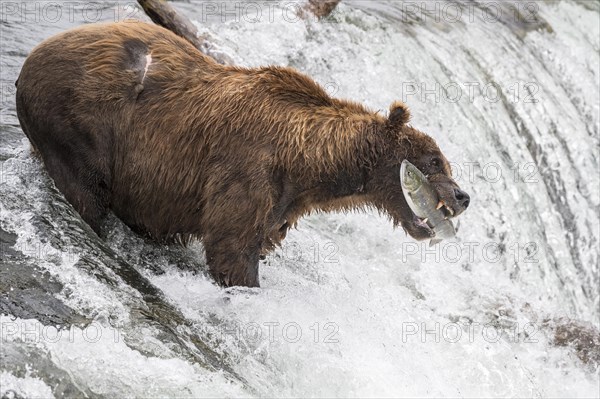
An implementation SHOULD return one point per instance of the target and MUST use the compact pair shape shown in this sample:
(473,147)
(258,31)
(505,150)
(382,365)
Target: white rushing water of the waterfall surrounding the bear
(350,307)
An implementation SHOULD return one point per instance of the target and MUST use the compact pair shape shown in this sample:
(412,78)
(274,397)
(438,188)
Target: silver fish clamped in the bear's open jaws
(423,201)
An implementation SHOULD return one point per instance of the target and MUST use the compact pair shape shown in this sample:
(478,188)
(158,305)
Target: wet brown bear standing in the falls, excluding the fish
(130,117)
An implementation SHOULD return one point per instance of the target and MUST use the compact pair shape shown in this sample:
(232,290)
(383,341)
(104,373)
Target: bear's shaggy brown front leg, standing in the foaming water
(235,223)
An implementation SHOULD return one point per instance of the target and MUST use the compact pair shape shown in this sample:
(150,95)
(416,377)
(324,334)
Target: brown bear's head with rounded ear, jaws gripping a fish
(400,142)
